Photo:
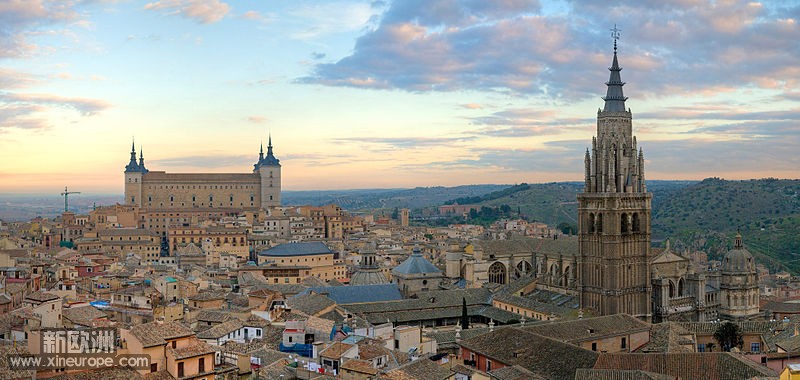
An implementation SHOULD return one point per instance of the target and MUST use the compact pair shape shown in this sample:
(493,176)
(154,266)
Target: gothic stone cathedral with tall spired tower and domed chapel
(611,266)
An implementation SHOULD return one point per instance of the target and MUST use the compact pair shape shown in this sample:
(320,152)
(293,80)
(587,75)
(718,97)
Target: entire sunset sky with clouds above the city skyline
(378,94)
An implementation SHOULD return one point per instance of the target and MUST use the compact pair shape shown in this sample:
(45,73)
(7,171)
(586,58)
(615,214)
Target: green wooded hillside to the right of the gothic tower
(707,214)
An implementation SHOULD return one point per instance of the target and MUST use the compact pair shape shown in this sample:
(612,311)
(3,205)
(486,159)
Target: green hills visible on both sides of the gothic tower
(703,215)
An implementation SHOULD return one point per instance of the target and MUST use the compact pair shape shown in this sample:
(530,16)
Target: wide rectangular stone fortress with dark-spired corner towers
(158,190)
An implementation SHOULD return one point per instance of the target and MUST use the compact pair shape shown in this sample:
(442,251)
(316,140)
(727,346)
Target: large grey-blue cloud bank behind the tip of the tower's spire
(697,47)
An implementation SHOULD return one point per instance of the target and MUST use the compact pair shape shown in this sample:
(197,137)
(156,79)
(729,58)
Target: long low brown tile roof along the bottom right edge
(708,366)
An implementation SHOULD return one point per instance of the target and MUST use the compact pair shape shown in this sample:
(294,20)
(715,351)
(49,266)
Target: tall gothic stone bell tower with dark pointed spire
(614,213)
